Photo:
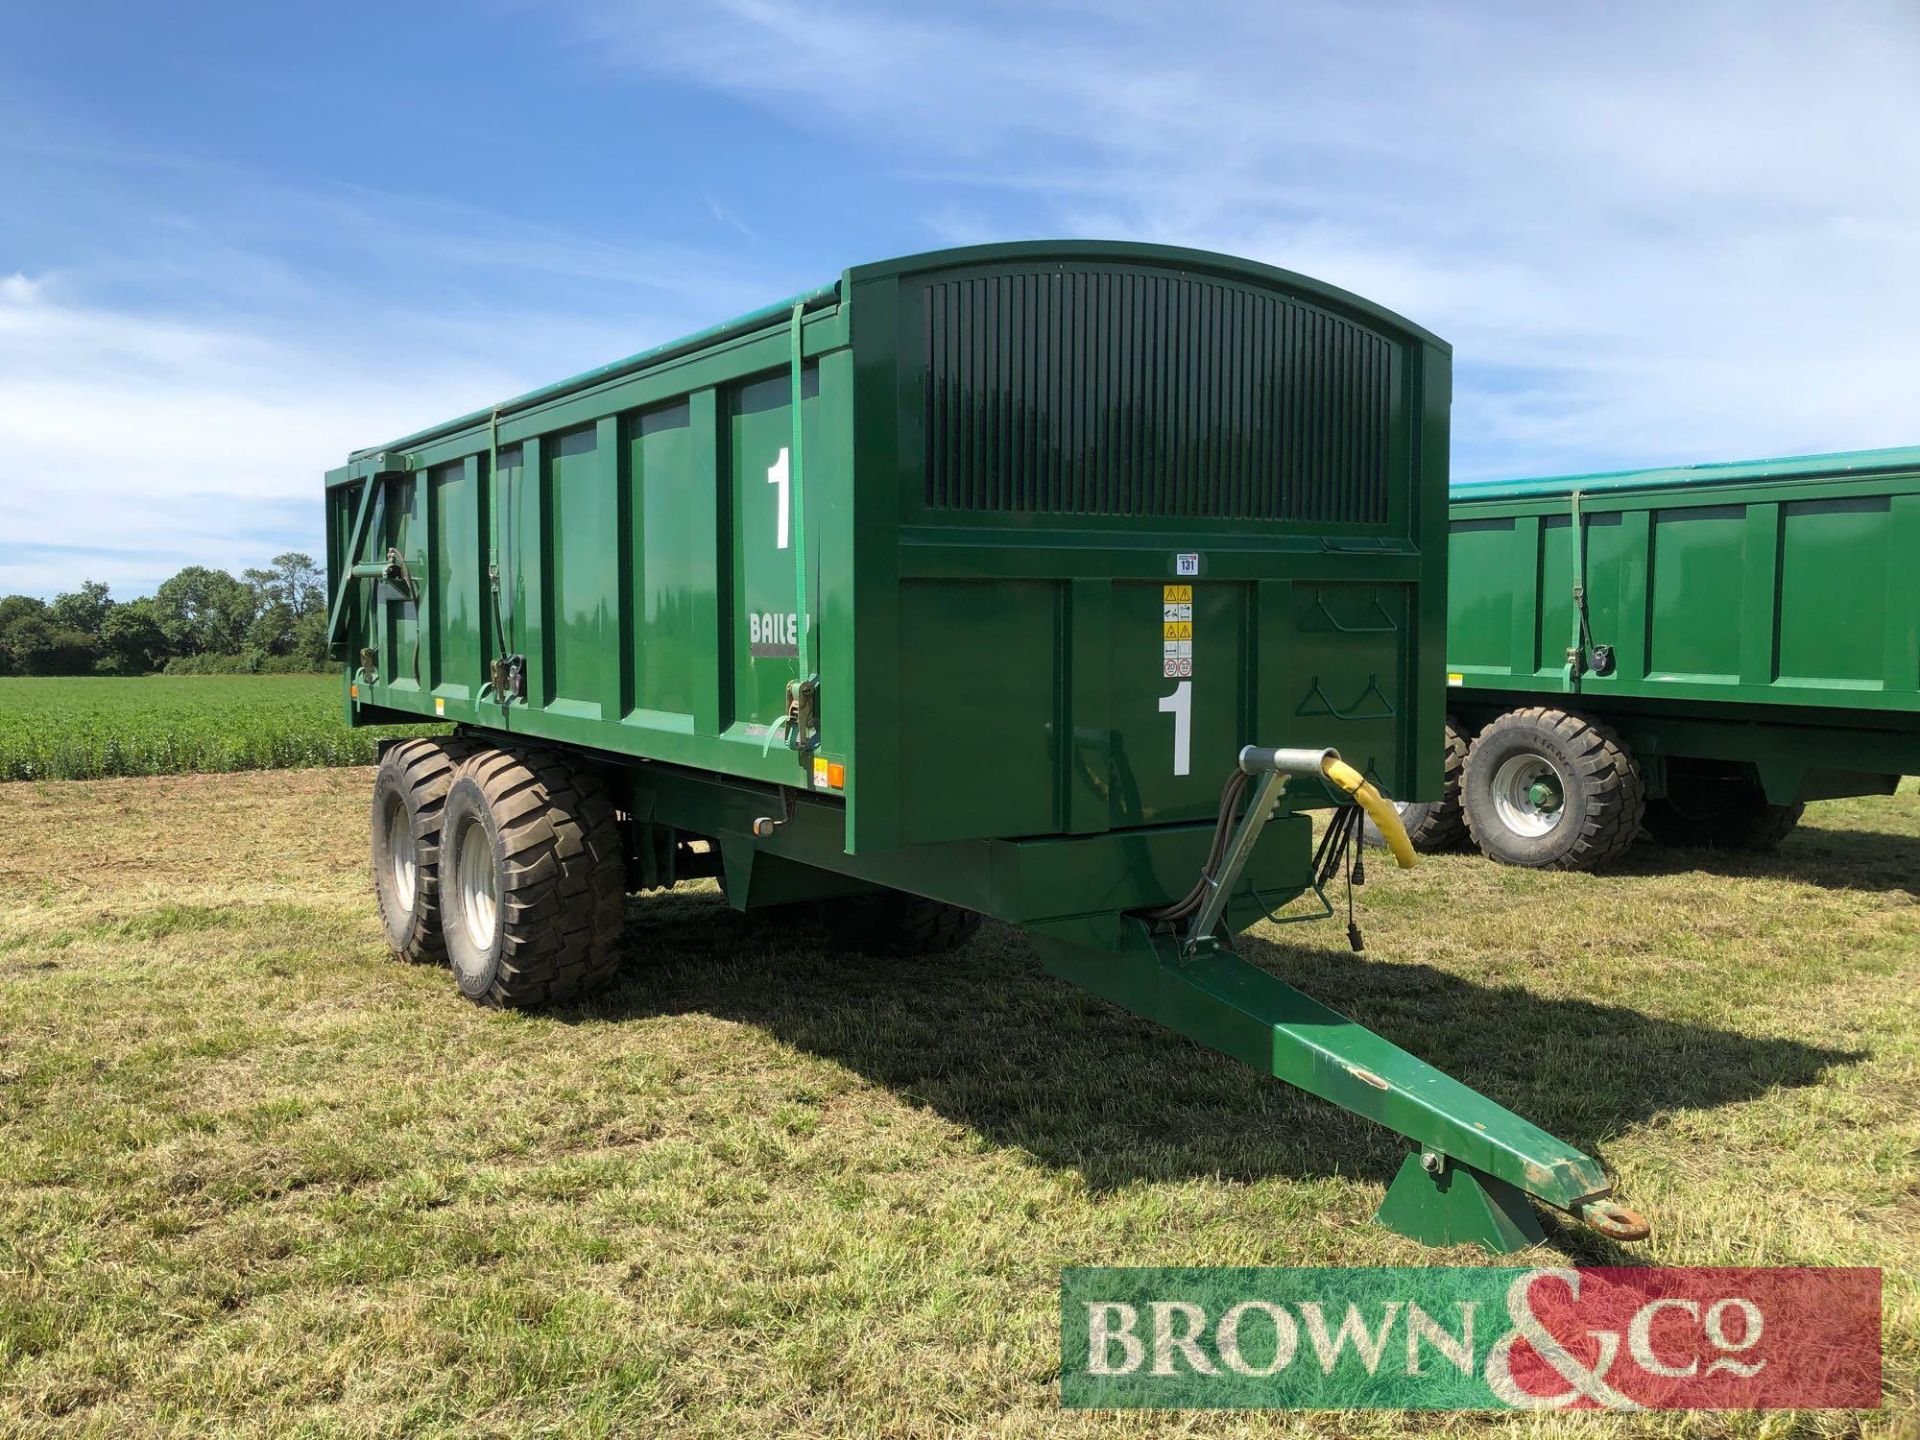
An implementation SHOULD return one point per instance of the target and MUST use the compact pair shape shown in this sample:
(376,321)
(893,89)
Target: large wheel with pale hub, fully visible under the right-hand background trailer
(1552,790)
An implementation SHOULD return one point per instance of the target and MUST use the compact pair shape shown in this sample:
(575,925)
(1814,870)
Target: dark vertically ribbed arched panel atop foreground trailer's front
(1141,395)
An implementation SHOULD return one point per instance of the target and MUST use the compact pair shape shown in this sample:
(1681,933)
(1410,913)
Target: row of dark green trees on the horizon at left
(201,621)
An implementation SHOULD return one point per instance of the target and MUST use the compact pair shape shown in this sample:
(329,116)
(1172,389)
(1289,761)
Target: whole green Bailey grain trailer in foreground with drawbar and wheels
(971,585)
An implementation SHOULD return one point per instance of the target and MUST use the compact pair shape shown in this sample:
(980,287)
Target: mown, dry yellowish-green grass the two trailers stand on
(260,1180)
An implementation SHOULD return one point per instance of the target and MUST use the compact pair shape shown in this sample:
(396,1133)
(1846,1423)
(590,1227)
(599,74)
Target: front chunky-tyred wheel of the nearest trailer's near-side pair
(535,878)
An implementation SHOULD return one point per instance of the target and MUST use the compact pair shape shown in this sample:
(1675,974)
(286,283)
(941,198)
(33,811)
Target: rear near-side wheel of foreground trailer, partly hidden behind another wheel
(410,794)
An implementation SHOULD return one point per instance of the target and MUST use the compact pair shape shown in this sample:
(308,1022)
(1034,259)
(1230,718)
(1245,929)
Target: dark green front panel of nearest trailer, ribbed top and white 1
(1151,516)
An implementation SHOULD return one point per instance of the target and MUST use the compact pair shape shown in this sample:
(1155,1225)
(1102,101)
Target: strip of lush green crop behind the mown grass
(89,729)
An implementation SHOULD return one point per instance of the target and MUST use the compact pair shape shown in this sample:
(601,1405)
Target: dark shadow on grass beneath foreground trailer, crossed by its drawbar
(990,1042)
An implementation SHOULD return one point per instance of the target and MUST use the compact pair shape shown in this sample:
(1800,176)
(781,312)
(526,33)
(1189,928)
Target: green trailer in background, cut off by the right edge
(1698,652)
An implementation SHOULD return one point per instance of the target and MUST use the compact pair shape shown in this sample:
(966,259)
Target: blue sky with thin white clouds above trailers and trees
(239,241)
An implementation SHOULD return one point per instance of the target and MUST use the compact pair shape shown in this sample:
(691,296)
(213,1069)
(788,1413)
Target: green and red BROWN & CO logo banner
(1470,1339)
